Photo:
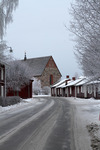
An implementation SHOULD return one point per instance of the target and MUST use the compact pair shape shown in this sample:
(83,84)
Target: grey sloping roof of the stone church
(37,64)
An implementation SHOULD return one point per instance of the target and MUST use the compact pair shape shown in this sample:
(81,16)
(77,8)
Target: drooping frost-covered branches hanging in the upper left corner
(6,10)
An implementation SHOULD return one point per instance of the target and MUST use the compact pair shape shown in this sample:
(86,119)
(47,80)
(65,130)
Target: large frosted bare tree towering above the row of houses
(85,25)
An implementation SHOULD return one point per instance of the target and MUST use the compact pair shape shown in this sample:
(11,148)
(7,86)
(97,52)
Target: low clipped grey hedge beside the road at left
(11,100)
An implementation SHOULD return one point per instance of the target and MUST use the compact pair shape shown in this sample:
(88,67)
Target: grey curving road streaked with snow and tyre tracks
(47,126)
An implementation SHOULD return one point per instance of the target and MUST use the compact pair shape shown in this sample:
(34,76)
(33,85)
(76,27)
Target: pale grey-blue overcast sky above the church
(39,29)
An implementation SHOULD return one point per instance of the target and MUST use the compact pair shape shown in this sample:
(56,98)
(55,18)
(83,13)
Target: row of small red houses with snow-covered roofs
(81,88)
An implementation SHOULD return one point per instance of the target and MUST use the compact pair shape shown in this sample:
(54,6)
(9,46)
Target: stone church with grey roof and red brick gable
(44,69)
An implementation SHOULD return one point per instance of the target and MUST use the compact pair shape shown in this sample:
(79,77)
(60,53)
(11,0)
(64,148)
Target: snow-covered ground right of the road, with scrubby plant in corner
(86,123)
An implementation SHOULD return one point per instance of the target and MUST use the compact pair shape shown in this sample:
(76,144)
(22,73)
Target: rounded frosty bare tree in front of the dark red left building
(18,74)
